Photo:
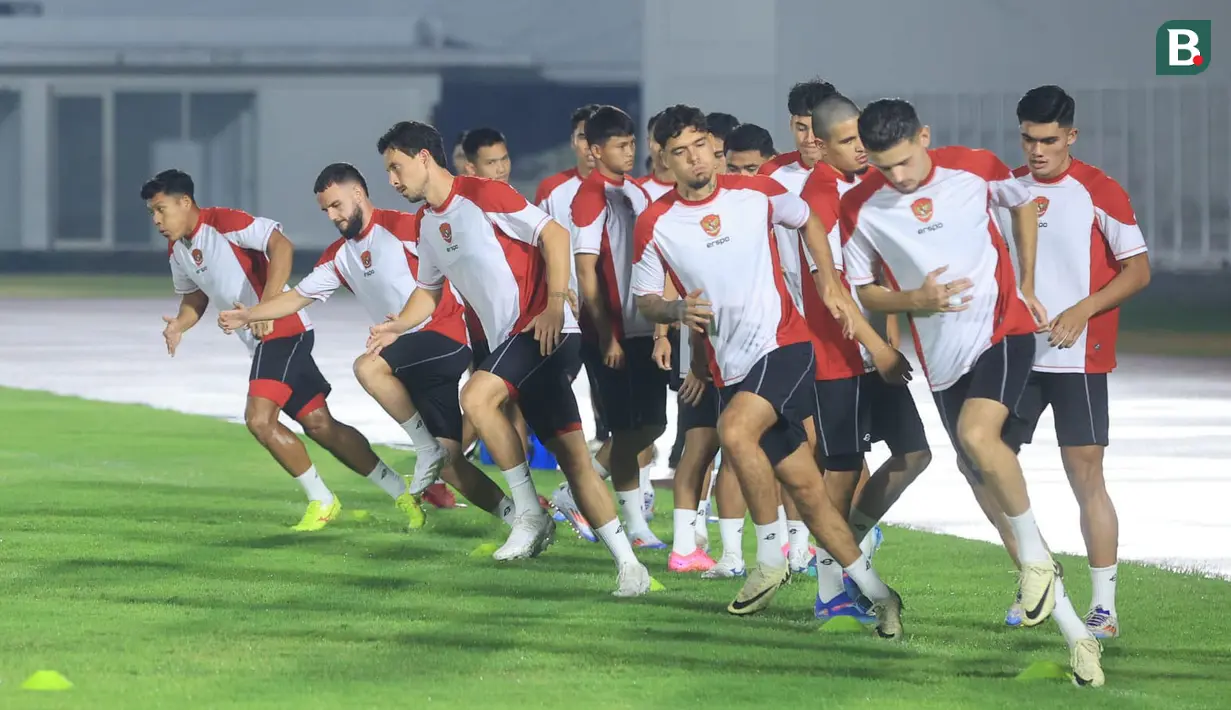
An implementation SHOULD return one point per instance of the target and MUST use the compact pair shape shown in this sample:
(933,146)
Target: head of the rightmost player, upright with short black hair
(1046,115)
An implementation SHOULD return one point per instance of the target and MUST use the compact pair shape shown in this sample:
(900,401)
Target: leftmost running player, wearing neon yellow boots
(232,258)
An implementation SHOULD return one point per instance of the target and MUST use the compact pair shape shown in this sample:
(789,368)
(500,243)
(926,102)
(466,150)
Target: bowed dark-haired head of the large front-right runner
(897,142)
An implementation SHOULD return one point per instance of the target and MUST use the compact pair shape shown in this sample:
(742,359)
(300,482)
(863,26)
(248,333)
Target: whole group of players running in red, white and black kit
(745,280)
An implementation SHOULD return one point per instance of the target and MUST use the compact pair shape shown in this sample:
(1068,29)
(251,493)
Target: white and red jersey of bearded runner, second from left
(380,268)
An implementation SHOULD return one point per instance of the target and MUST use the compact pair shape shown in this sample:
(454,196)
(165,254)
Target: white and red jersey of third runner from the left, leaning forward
(484,241)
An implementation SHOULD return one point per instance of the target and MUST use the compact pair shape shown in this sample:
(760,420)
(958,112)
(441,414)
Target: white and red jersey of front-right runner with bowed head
(947,222)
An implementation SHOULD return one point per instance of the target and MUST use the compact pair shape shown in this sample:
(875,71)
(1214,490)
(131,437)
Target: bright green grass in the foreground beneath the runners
(146,556)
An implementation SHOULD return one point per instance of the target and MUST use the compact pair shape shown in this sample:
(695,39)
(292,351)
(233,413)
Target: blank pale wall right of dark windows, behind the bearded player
(305,126)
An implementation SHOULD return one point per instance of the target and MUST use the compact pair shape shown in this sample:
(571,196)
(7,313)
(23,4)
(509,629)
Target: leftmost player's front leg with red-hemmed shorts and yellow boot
(268,393)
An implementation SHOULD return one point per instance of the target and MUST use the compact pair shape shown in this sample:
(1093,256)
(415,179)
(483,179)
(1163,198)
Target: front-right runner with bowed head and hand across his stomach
(926,217)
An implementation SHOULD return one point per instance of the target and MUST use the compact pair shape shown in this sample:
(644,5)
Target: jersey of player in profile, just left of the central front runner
(604,216)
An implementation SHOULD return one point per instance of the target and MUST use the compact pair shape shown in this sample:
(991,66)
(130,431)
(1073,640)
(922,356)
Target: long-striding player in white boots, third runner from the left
(511,261)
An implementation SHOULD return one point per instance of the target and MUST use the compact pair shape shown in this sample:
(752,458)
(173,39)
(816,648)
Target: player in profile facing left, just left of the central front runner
(632,388)
